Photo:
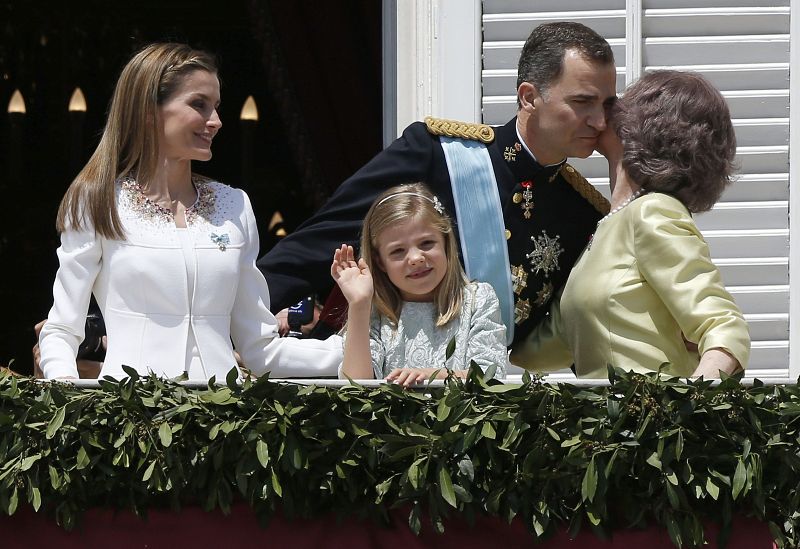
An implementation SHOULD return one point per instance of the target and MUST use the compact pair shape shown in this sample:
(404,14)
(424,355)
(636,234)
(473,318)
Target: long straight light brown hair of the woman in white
(129,144)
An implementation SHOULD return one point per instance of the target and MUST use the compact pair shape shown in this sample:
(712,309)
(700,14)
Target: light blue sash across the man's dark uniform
(480,220)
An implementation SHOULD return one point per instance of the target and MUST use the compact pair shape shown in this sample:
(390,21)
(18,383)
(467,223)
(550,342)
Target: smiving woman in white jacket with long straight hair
(169,254)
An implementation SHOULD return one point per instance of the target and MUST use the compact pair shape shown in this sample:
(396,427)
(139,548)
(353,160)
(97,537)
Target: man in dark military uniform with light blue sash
(544,210)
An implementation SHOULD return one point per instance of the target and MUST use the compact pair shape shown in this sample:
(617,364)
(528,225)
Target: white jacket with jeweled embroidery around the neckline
(141,286)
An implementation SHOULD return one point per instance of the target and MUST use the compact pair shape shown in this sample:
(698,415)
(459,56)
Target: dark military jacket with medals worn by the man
(550,213)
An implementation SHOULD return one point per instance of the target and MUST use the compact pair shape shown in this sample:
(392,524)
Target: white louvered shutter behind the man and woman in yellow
(743,47)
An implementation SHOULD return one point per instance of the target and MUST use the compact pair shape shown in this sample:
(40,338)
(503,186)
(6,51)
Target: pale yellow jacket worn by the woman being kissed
(645,279)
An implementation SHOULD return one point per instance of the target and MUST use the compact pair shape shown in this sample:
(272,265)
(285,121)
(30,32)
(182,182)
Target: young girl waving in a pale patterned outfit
(409,297)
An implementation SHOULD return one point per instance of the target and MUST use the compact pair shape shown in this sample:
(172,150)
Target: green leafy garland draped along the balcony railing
(644,450)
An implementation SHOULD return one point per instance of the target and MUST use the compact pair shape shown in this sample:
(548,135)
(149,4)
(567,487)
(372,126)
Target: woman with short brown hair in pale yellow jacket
(645,293)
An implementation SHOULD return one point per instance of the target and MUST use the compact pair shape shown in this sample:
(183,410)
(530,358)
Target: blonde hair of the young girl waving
(398,205)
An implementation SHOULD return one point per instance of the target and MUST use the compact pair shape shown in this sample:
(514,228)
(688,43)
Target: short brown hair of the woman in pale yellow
(677,137)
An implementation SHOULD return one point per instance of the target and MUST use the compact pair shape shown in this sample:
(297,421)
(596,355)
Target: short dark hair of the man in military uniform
(542,59)
